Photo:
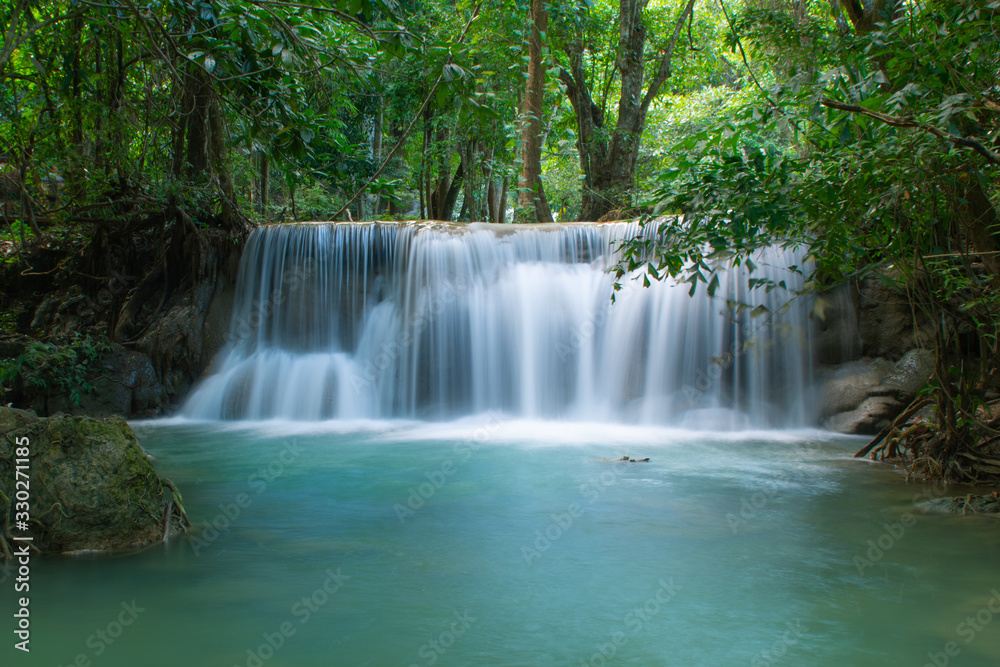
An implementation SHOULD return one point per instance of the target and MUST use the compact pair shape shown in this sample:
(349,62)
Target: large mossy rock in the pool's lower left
(92,485)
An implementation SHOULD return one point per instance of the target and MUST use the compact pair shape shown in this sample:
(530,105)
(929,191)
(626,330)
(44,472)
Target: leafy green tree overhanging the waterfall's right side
(877,153)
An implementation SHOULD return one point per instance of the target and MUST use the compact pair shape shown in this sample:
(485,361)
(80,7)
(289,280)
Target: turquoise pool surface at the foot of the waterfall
(495,542)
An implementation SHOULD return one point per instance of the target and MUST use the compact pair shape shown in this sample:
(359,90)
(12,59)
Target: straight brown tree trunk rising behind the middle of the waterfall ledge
(531,193)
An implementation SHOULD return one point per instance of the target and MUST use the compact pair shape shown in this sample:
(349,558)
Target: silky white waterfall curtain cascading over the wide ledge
(373,320)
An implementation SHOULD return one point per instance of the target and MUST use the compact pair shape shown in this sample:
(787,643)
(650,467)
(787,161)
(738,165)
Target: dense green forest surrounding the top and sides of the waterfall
(141,141)
